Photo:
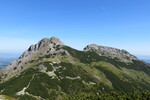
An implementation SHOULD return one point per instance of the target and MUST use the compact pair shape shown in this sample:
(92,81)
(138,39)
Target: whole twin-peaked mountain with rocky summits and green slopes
(50,70)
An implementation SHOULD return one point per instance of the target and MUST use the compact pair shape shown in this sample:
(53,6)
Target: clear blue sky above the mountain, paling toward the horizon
(123,24)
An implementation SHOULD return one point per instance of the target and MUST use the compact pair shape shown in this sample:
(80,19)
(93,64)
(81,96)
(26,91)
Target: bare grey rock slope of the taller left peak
(44,47)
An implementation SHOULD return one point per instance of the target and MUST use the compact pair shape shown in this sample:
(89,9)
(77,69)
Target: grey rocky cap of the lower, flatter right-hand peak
(122,55)
